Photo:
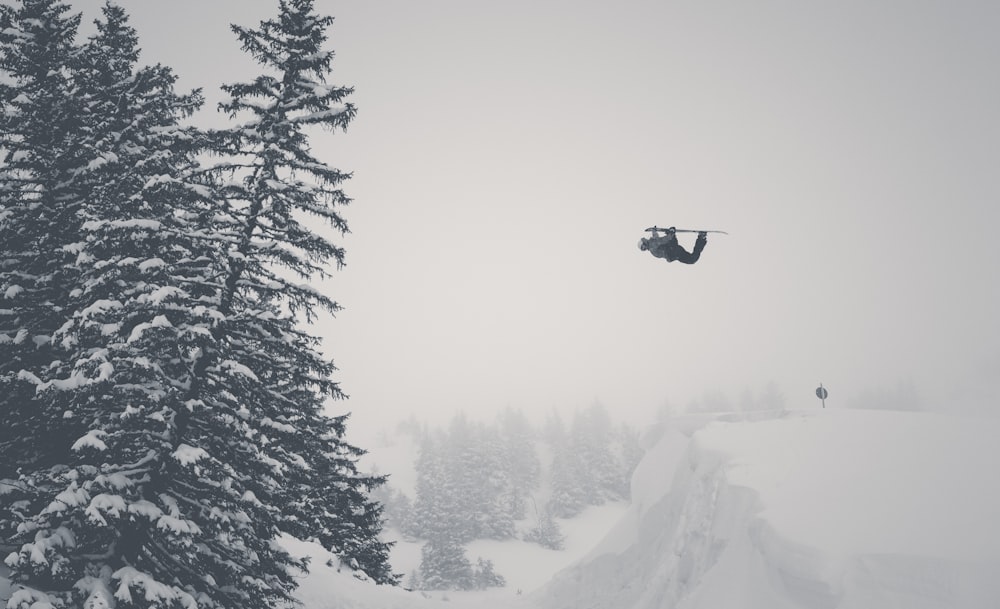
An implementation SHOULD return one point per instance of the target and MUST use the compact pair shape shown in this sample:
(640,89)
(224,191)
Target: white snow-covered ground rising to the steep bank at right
(808,509)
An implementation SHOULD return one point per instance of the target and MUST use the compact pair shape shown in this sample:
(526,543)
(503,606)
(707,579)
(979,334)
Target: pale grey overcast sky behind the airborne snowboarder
(507,156)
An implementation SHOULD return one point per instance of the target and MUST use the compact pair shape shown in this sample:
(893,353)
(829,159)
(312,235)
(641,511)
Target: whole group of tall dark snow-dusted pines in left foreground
(161,399)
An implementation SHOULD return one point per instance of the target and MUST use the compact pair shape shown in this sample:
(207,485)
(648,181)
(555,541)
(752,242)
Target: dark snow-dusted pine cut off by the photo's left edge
(40,152)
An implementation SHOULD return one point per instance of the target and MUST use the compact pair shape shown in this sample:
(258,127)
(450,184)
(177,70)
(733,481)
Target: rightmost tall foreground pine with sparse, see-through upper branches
(273,187)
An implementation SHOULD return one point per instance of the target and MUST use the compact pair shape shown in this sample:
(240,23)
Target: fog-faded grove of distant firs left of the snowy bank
(509,479)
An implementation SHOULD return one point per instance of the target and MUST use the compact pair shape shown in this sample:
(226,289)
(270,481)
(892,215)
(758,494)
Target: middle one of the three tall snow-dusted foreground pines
(141,508)
